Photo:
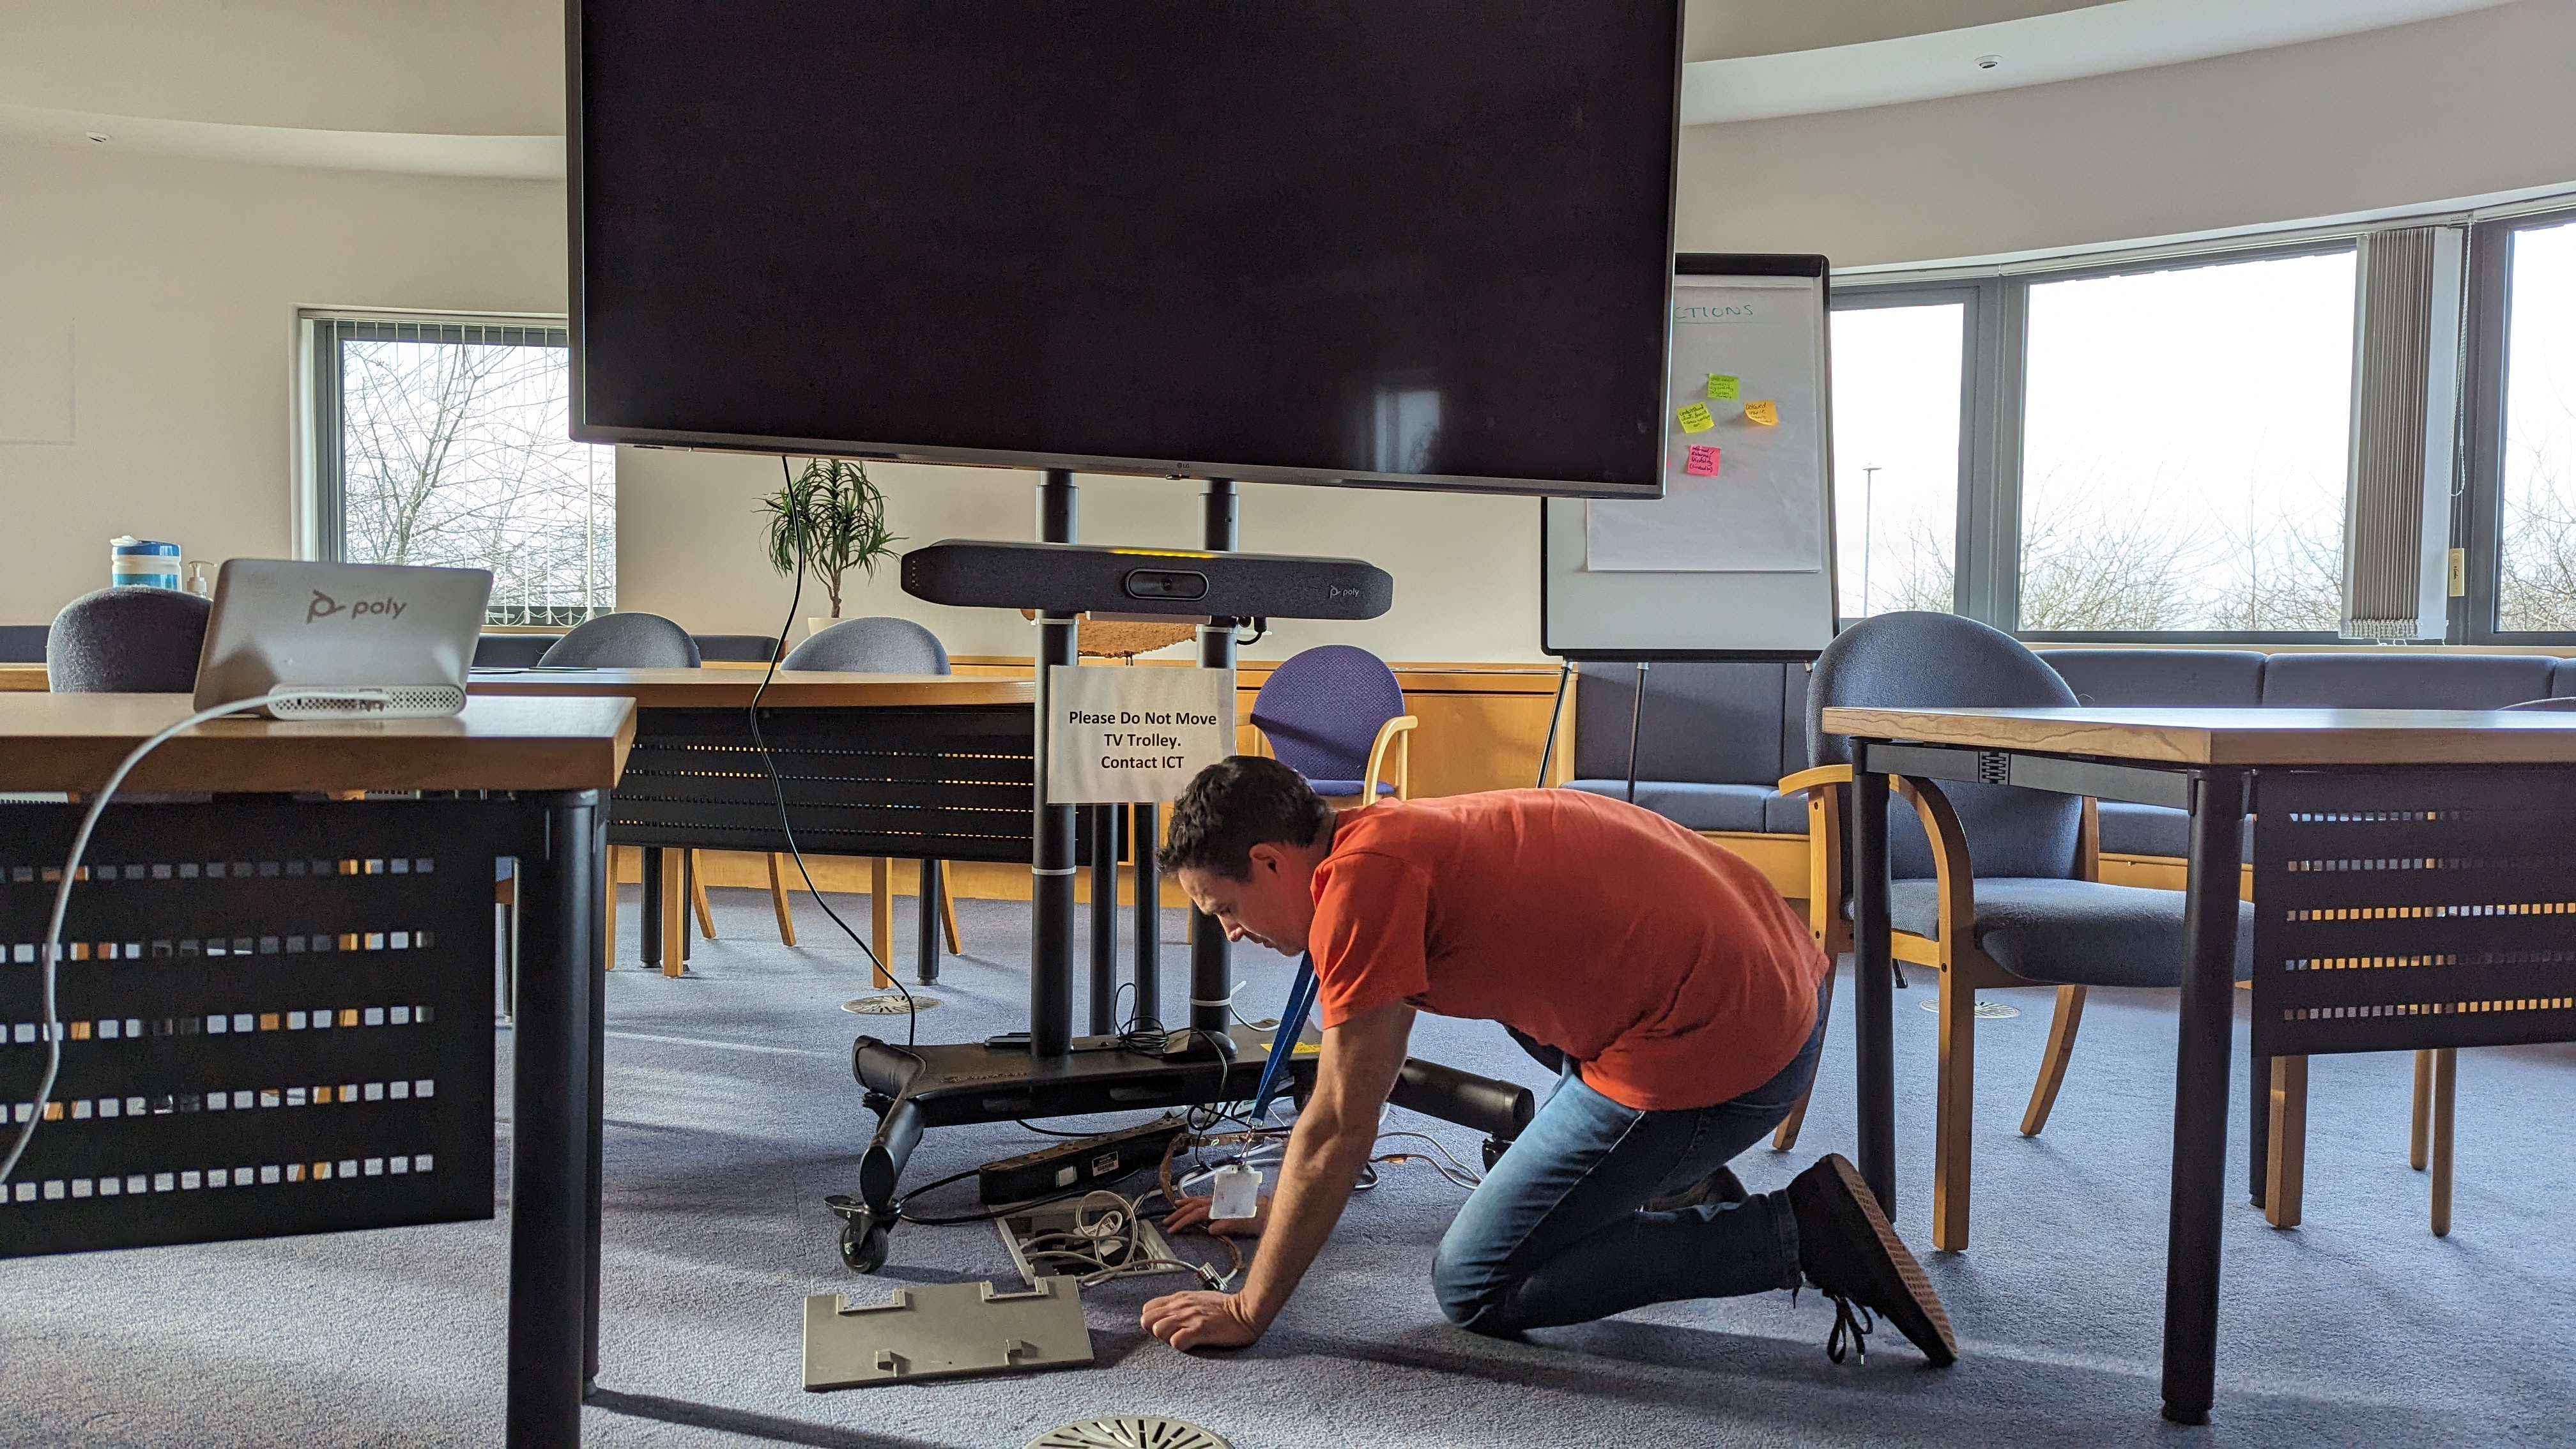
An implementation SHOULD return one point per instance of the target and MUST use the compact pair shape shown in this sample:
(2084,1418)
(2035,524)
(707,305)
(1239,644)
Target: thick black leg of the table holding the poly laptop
(550,1123)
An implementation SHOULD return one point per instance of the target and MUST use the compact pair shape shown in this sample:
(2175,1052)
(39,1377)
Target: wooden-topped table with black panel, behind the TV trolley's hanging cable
(875,764)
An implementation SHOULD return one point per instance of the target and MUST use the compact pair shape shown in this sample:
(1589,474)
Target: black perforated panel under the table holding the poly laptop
(277,1020)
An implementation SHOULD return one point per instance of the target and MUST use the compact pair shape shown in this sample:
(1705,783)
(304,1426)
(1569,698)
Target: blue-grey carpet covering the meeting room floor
(733,1113)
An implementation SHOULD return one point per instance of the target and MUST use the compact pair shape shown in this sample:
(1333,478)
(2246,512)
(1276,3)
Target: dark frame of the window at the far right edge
(2479,496)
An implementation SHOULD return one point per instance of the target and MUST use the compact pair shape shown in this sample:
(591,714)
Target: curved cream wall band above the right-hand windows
(2459,107)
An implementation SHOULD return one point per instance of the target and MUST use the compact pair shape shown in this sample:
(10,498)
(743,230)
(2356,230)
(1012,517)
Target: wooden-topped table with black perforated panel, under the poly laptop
(274,935)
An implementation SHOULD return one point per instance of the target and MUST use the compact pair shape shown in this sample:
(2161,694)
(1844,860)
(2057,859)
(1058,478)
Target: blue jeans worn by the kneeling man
(1560,1231)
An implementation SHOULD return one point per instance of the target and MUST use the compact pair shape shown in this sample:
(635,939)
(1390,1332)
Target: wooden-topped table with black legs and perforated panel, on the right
(2384,844)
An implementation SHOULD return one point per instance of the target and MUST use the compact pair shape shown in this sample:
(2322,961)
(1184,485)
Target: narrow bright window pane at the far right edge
(2536,548)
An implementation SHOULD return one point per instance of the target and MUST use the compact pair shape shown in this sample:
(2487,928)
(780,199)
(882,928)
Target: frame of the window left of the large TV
(323,468)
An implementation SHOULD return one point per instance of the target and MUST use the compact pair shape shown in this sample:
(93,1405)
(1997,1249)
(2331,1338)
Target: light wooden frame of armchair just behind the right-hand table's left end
(1964,971)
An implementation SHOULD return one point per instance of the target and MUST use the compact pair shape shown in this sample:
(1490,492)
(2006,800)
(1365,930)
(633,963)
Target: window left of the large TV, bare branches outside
(444,442)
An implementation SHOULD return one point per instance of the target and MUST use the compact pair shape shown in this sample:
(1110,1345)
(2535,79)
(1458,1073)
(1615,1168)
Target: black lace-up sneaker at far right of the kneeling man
(1856,1259)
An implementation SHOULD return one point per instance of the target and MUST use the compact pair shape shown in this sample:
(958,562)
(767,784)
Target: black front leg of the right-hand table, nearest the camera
(2201,1100)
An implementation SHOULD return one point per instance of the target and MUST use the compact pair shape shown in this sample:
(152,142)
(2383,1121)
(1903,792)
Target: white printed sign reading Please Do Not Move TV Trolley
(1135,734)
